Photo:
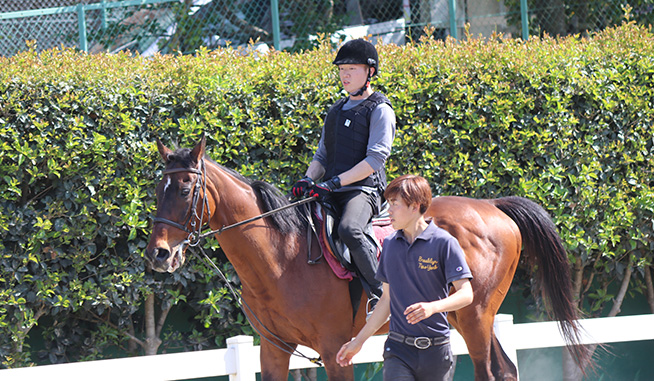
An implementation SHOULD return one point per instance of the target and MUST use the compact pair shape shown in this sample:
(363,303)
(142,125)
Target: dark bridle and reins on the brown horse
(195,235)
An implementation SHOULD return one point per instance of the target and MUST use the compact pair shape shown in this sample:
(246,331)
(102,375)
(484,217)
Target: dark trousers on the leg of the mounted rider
(357,208)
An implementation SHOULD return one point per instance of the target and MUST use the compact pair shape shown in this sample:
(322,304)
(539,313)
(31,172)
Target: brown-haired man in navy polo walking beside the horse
(418,264)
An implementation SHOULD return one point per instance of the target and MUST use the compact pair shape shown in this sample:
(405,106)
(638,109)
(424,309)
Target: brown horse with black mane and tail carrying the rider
(291,302)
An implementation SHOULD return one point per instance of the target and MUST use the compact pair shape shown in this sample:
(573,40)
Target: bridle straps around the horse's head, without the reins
(194,233)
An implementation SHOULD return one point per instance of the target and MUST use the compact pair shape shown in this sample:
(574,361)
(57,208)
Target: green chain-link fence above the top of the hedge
(168,26)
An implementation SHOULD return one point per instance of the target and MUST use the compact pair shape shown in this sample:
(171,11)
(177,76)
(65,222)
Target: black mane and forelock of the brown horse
(287,221)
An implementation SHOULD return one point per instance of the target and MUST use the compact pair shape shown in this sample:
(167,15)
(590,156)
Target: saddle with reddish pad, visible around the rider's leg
(335,252)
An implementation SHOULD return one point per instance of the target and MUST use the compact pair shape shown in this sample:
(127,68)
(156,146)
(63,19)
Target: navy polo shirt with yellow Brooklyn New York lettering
(421,272)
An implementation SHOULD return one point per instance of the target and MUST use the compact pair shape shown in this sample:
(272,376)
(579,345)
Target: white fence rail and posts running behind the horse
(240,360)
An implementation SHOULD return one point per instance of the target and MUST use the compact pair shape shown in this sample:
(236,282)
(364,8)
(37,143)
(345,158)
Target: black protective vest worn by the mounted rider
(346,138)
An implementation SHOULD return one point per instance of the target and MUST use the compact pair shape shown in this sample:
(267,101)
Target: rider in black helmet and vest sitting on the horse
(356,140)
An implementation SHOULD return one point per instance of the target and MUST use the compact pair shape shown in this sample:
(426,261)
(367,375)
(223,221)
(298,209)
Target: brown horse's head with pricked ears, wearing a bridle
(182,207)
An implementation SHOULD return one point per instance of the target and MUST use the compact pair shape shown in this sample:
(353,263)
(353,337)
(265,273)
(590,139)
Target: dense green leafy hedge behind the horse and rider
(567,123)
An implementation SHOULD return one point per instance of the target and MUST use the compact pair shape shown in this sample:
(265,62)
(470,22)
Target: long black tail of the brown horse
(542,246)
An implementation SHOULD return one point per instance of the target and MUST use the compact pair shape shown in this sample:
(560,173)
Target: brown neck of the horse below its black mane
(252,248)
